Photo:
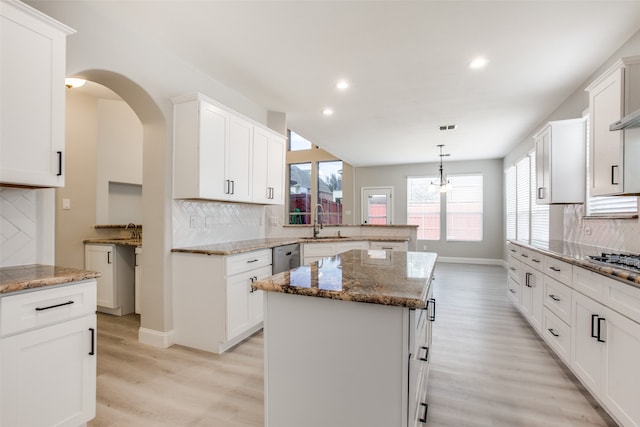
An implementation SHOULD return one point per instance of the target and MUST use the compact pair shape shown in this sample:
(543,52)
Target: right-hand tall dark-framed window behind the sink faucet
(330,191)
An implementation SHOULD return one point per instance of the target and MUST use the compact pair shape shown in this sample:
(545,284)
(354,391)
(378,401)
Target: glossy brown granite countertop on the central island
(372,276)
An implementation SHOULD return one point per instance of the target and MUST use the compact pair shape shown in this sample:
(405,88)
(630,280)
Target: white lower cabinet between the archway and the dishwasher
(215,306)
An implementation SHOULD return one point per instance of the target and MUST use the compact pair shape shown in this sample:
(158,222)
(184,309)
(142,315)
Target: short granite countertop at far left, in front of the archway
(25,277)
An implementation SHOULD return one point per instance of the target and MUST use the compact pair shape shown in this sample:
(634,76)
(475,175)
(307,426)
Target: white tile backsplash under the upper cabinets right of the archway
(200,222)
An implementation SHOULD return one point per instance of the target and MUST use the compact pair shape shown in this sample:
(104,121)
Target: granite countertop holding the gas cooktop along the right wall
(578,254)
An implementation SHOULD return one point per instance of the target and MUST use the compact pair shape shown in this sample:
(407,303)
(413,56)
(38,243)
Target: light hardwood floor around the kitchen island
(488,369)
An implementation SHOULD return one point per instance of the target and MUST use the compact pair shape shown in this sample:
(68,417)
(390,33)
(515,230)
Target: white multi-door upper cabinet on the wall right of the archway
(219,155)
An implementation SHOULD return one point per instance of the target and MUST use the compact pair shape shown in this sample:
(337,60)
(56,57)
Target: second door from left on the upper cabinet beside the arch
(238,152)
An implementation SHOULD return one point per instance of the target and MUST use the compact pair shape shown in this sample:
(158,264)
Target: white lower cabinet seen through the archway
(116,286)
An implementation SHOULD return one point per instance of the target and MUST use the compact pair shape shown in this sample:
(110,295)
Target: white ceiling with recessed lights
(406,62)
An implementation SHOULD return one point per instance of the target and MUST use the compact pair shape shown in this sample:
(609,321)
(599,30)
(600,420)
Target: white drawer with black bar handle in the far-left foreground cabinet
(45,307)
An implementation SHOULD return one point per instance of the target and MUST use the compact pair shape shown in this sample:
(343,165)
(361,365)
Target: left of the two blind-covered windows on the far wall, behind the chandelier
(423,207)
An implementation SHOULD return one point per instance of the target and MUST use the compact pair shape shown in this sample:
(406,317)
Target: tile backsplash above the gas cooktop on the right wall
(616,234)
